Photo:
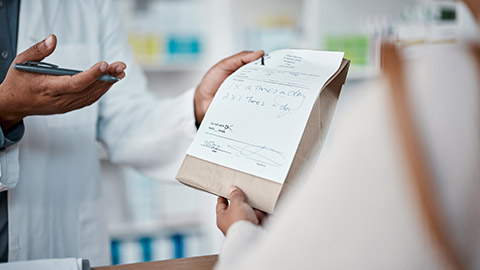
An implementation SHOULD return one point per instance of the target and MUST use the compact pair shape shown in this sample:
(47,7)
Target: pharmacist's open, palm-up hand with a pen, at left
(23,93)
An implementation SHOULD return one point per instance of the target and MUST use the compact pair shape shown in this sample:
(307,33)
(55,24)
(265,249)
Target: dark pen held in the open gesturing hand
(51,69)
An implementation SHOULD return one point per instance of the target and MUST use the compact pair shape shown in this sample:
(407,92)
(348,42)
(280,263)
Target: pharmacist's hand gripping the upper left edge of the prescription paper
(214,78)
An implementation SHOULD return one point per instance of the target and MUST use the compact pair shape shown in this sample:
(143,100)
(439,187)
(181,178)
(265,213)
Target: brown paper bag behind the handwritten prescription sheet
(262,193)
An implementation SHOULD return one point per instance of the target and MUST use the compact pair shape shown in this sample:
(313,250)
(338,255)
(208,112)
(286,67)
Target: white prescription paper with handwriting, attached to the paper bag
(258,116)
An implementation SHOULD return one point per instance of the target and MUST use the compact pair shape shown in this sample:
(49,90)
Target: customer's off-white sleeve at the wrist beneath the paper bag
(241,237)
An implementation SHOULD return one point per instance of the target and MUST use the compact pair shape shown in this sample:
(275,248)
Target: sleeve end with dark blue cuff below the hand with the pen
(9,166)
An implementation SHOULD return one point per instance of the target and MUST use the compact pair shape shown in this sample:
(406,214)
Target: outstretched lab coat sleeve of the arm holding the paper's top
(138,129)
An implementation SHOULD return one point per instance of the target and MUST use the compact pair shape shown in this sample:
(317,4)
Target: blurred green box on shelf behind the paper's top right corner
(356,47)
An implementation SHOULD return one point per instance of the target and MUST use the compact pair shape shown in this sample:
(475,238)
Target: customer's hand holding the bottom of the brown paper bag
(238,209)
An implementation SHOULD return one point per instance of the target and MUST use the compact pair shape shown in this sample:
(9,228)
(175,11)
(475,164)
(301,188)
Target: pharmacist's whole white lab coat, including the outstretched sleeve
(55,210)
